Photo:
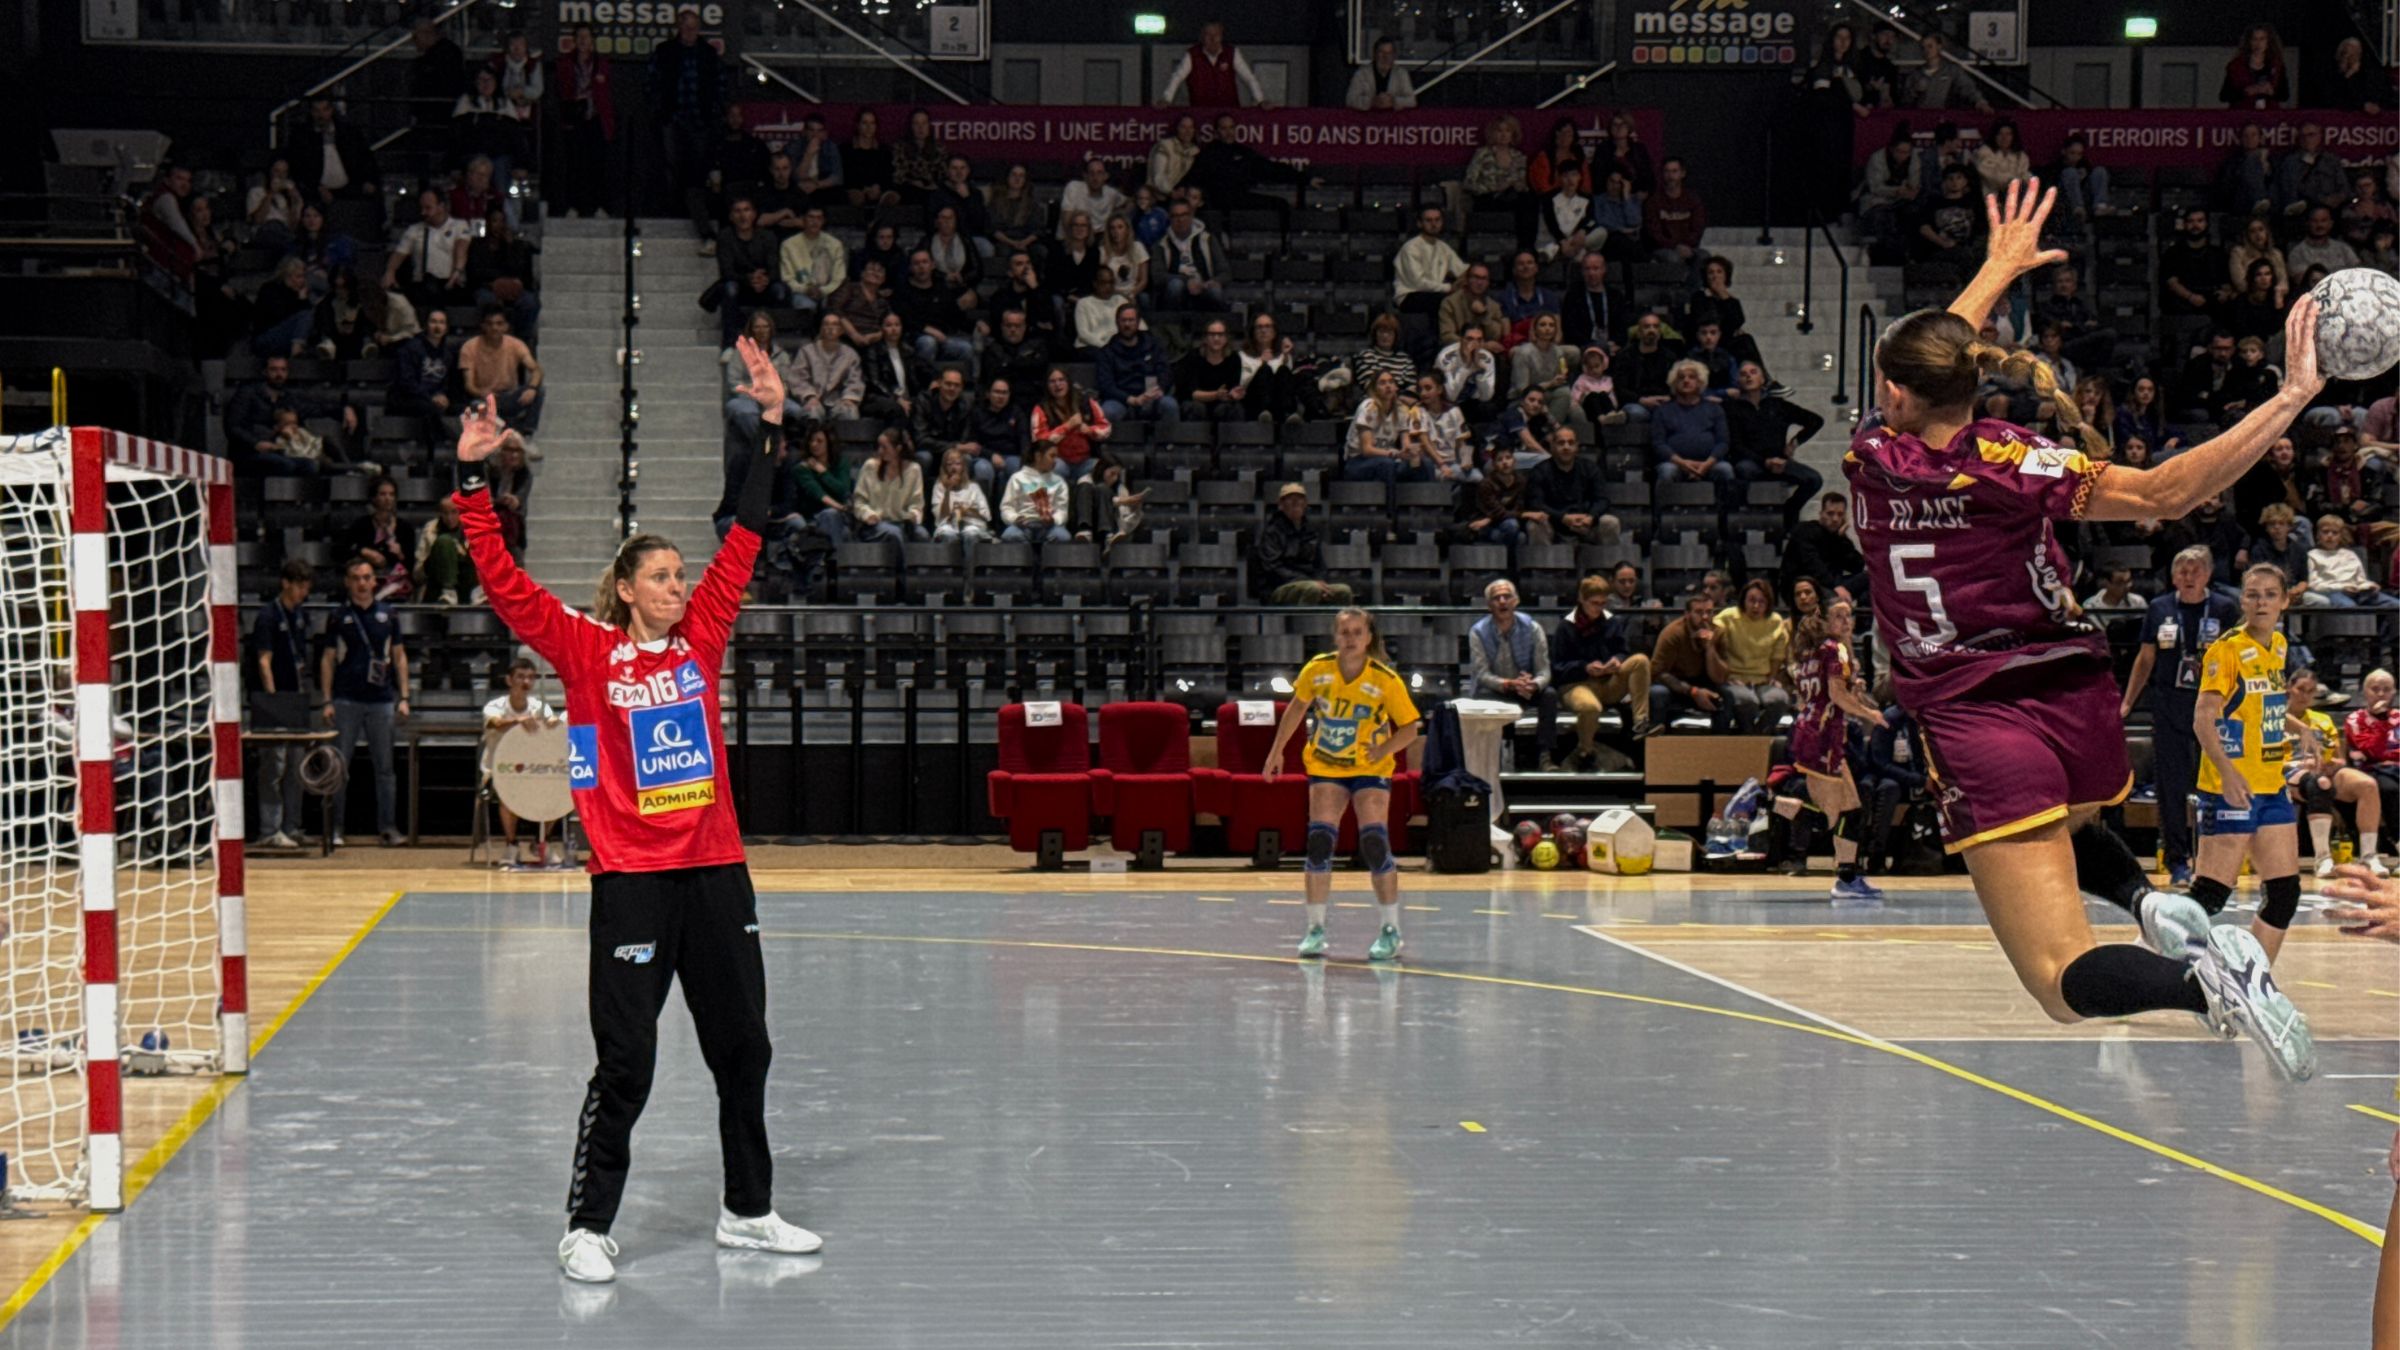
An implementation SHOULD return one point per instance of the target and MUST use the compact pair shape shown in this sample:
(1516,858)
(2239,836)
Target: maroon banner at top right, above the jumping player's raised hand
(2180,138)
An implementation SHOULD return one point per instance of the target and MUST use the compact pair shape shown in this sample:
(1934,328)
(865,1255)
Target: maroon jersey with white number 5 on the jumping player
(1967,571)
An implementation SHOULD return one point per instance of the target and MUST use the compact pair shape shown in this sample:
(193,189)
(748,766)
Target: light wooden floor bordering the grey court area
(1921,969)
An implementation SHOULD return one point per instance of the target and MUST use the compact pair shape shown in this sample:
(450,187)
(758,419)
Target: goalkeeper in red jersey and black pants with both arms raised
(671,888)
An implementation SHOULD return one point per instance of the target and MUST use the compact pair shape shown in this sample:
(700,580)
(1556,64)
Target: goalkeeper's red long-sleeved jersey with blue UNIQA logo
(644,746)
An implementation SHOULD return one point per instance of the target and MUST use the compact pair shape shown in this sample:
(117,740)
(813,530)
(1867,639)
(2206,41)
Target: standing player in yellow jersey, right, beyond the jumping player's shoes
(2245,751)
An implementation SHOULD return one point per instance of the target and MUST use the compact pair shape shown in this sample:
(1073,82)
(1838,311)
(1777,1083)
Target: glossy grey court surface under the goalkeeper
(1014,1140)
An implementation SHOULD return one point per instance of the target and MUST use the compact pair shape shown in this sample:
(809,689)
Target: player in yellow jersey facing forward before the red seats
(1362,719)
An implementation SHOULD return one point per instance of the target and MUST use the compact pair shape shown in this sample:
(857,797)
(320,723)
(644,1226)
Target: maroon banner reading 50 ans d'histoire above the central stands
(1439,141)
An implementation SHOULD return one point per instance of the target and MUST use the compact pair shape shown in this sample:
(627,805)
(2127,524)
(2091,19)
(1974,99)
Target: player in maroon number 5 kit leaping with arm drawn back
(2012,683)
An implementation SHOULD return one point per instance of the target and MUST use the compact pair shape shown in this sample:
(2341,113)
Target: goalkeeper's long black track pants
(649,928)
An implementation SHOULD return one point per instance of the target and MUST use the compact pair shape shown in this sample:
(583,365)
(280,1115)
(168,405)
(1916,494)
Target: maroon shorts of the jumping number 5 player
(2024,748)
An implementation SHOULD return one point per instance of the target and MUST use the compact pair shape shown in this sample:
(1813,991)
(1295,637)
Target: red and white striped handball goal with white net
(121,794)
